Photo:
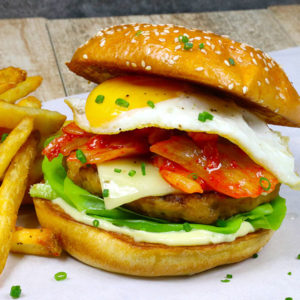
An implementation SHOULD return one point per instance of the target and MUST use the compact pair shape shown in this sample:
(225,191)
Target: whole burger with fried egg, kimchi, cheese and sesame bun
(169,167)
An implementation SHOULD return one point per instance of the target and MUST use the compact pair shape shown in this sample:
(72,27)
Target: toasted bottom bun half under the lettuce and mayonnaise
(121,254)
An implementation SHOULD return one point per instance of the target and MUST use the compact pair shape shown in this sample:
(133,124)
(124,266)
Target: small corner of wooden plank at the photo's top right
(289,18)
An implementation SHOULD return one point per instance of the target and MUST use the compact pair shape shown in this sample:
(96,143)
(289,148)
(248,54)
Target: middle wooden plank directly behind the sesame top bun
(256,27)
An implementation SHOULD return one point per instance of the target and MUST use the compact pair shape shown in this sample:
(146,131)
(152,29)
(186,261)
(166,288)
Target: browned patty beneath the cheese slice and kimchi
(204,208)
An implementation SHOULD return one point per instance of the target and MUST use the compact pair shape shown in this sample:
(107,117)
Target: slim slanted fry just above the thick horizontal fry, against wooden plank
(22,89)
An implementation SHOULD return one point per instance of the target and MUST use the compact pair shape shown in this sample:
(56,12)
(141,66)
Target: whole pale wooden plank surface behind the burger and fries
(43,46)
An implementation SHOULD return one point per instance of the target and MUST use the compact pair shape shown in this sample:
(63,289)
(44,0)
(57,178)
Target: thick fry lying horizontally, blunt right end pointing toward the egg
(45,121)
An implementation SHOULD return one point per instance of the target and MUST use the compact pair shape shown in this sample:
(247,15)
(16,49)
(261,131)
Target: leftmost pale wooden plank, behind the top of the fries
(25,43)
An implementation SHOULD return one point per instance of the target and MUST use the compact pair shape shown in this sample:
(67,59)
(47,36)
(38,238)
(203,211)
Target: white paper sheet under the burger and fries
(262,278)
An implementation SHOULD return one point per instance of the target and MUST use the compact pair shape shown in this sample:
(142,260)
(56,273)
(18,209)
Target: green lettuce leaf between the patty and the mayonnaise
(265,216)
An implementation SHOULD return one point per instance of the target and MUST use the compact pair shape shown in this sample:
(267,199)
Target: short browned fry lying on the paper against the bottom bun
(37,241)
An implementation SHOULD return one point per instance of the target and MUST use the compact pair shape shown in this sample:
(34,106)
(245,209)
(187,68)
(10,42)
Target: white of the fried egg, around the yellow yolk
(265,146)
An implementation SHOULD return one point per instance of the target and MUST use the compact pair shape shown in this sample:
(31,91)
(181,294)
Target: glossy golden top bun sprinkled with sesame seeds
(251,77)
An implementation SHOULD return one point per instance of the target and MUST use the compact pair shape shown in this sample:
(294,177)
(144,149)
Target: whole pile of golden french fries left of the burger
(23,128)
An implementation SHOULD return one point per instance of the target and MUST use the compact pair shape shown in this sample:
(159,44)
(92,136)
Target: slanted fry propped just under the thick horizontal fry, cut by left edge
(16,138)
